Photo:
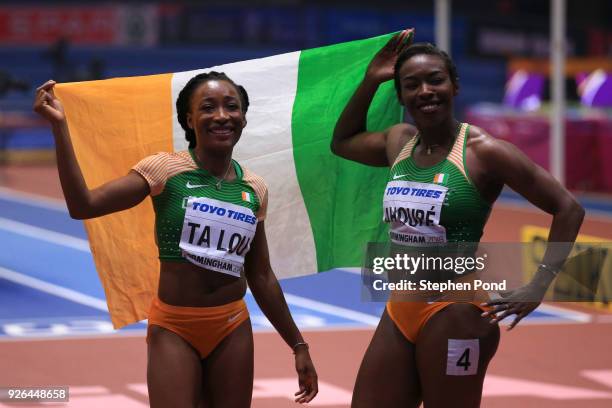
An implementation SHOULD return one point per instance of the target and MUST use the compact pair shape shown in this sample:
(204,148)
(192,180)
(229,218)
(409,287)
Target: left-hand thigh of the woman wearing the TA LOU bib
(174,370)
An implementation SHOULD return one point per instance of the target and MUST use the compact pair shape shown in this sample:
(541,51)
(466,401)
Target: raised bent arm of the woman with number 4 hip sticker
(351,140)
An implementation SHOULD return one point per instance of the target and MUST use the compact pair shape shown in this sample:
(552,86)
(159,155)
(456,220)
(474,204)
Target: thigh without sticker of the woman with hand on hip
(387,376)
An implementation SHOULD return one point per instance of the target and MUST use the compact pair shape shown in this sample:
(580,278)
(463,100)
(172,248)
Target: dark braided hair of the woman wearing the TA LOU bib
(184,99)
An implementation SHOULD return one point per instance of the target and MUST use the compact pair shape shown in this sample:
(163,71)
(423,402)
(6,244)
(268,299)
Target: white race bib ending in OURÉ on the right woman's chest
(413,210)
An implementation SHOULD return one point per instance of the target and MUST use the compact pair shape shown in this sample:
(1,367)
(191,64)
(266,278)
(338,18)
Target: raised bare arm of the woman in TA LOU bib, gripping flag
(116,195)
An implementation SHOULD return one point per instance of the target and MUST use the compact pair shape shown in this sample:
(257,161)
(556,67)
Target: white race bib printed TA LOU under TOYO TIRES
(217,235)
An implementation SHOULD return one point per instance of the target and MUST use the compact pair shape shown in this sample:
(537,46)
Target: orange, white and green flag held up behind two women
(322,209)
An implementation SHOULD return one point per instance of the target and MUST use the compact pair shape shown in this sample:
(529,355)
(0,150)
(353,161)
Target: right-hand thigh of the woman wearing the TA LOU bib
(228,370)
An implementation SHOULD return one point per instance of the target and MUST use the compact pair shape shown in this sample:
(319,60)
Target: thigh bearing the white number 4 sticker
(453,351)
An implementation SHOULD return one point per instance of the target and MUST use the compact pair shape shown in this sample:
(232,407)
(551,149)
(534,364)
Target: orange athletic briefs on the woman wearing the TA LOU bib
(202,327)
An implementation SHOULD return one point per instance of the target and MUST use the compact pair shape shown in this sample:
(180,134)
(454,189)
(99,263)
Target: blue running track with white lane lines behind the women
(49,286)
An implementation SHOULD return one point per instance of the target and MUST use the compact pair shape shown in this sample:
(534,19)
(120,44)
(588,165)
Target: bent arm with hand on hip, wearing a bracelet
(514,169)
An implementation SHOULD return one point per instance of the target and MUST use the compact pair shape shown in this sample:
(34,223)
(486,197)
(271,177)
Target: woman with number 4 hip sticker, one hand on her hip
(438,352)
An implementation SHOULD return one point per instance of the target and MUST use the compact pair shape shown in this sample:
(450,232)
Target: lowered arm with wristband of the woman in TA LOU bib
(269,297)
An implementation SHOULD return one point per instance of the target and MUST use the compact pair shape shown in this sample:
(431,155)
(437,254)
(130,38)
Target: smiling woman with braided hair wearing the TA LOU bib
(209,222)
